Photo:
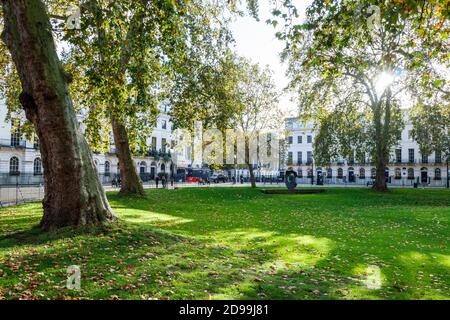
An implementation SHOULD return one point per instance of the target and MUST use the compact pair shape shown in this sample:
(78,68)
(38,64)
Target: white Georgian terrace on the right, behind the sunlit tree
(406,166)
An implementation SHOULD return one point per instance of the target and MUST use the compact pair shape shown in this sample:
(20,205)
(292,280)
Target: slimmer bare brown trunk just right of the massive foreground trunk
(130,181)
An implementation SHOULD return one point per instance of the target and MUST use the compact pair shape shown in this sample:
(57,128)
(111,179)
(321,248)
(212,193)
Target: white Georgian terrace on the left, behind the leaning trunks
(20,159)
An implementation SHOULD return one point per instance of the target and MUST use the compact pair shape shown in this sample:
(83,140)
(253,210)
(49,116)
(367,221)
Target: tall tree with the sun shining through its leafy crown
(353,63)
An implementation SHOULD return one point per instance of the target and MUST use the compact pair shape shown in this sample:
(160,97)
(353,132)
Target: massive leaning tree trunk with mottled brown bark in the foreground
(73,193)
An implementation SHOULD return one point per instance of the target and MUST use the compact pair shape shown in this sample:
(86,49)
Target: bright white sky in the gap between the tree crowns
(256,40)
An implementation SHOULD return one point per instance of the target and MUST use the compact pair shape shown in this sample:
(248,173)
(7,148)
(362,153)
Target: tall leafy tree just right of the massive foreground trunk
(129,50)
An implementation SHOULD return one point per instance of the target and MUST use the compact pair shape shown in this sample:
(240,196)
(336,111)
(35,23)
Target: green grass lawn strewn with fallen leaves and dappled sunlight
(238,243)
